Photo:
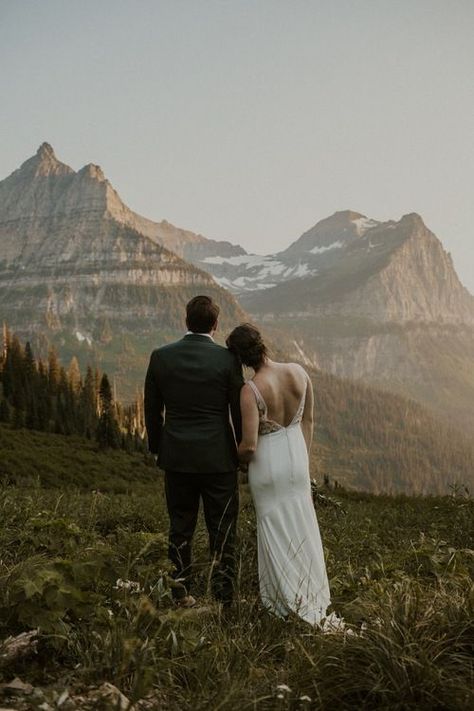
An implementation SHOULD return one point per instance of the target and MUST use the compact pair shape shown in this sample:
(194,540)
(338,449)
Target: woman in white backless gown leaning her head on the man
(277,429)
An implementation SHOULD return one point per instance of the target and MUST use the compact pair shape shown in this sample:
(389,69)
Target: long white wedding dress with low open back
(291,568)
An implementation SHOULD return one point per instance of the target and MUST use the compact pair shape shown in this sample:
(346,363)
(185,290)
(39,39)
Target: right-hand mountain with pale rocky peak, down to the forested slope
(384,304)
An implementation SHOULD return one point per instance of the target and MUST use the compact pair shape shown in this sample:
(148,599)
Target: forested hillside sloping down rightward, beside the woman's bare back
(376,441)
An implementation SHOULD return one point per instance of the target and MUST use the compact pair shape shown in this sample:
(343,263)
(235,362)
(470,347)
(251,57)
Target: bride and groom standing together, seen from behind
(190,386)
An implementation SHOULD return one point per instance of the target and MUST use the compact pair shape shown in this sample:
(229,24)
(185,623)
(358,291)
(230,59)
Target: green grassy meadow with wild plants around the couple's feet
(83,561)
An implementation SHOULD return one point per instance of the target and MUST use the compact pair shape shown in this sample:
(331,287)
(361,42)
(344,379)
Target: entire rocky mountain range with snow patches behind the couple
(359,298)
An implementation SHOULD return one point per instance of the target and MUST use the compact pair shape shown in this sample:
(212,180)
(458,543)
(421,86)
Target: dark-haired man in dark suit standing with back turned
(189,388)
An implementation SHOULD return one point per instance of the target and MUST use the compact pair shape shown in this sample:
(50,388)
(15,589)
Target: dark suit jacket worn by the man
(189,387)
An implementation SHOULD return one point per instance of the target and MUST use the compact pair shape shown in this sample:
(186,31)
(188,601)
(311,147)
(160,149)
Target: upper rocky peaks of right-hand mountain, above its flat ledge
(390,271)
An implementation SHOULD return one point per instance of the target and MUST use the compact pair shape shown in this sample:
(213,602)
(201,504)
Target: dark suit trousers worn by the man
(220,497)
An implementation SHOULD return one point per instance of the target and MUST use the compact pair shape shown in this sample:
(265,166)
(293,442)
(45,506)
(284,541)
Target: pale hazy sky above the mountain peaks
(250,120)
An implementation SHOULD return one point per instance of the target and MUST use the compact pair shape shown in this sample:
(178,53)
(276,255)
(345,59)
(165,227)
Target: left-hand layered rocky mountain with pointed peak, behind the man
(80,270)
